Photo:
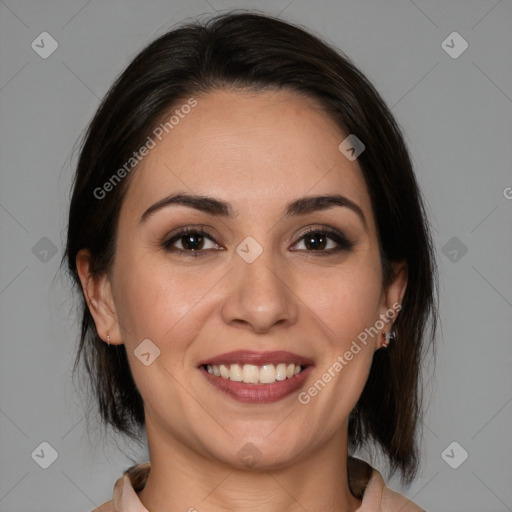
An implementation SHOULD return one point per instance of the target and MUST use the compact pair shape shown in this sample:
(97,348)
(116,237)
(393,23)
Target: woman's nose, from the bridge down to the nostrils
(259,296)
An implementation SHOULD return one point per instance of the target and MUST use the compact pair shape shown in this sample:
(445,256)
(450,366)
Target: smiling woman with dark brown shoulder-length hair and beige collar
(257,274)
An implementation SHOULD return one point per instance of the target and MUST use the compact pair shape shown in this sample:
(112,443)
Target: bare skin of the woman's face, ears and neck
(257,151)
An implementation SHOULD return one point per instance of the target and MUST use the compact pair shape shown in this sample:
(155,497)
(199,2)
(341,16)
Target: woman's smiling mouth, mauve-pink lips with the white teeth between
(257,377)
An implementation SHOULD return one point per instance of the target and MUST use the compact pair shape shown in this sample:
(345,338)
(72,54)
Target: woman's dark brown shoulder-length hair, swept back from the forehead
(256,52)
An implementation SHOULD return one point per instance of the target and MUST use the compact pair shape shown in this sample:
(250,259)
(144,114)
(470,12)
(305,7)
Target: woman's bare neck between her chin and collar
(181,479)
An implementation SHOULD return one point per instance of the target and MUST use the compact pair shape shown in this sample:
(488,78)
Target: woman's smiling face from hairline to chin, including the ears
(254,285)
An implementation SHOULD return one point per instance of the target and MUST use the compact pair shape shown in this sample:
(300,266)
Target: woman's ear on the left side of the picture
(98,294)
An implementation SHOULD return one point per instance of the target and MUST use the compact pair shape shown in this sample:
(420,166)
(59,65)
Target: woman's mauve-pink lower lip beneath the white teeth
(258,393)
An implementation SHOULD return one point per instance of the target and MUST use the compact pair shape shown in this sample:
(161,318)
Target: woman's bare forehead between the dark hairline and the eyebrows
(250,149)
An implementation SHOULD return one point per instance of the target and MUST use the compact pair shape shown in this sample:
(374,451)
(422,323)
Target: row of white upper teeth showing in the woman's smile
(253,374)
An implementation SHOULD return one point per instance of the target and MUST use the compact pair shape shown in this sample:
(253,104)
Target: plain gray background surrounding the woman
(456,113)
